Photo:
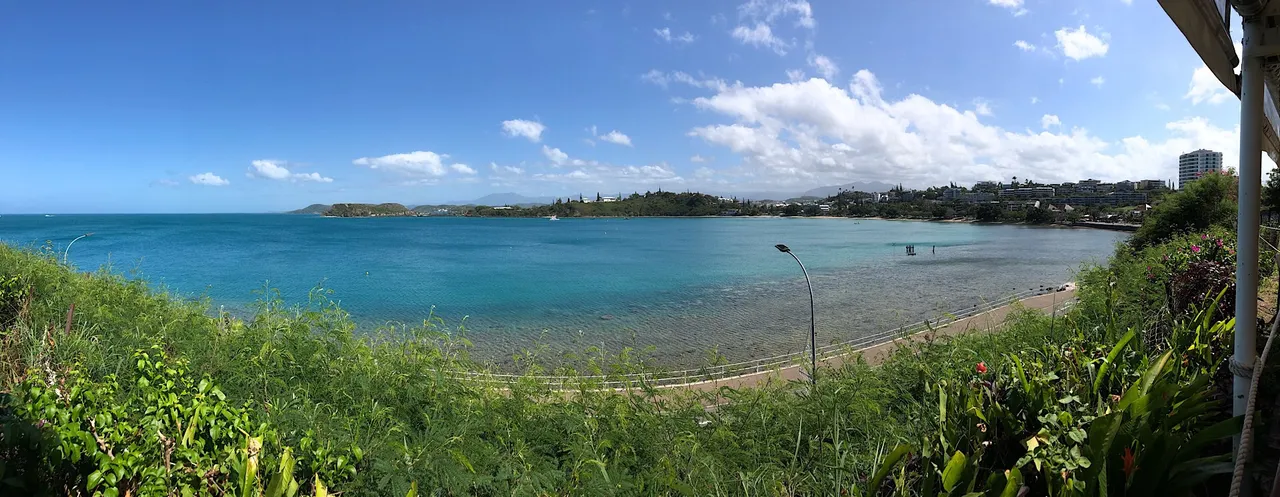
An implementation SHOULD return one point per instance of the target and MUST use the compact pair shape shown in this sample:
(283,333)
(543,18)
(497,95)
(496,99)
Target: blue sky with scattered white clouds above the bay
(241,107)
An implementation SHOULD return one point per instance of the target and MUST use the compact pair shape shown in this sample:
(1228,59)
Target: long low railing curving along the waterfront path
(687,377)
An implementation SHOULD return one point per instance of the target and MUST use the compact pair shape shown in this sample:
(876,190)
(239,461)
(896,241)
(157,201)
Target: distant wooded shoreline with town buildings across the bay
(1020,200)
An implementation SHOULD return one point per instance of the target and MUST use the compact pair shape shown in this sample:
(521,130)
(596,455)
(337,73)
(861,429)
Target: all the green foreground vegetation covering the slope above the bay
(116,390)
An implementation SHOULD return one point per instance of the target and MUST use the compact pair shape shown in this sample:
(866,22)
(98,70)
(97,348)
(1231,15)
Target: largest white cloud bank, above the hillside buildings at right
(812,133)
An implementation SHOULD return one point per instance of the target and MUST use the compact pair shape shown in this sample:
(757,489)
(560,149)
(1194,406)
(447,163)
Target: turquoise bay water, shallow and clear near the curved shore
(685,286)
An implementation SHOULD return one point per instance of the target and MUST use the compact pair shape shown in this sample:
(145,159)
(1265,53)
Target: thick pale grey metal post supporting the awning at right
(1247,221)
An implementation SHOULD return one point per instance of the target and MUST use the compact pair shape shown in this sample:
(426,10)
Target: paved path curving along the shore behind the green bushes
(877,354)
